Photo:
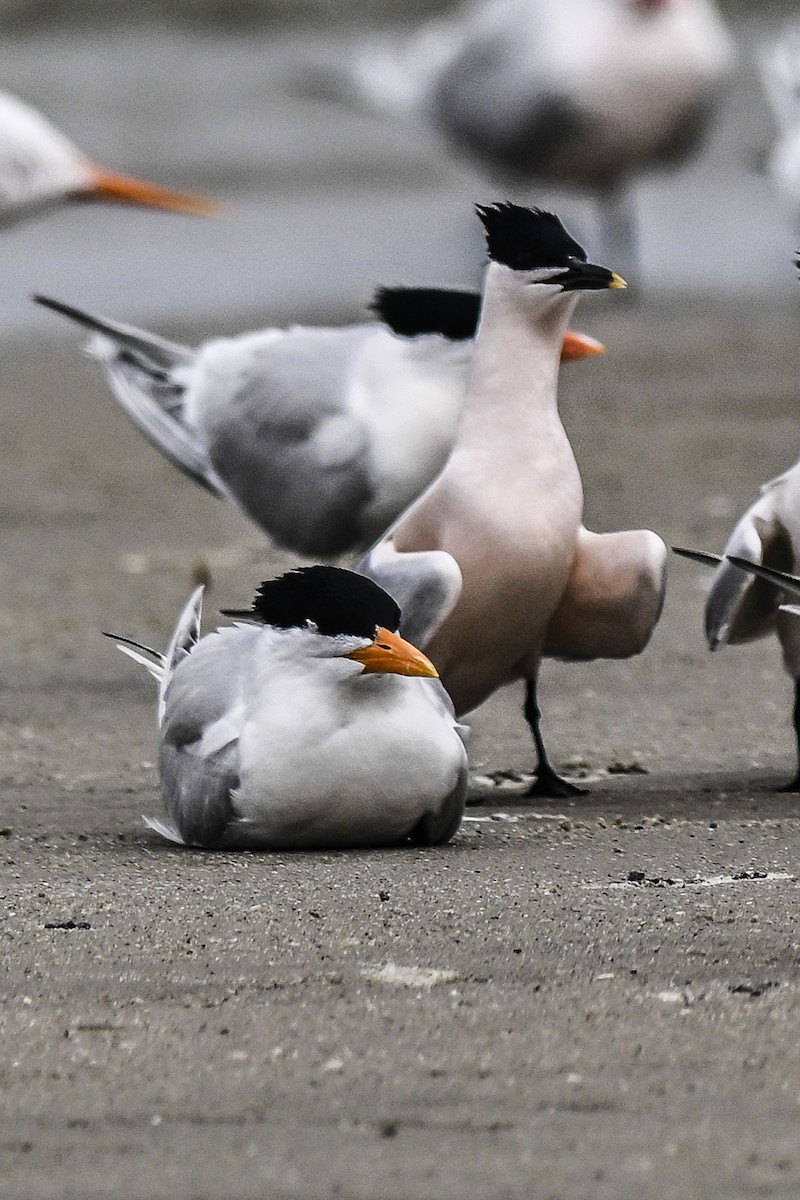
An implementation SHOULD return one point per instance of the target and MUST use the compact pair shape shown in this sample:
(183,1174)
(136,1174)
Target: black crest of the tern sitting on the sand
(336,601)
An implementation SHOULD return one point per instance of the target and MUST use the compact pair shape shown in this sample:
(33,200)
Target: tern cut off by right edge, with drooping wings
(743,604)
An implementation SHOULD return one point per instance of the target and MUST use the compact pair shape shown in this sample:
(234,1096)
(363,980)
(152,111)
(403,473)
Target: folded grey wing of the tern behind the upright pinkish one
(284,436)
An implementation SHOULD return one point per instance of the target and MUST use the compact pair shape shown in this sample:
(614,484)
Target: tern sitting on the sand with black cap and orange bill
(305,730)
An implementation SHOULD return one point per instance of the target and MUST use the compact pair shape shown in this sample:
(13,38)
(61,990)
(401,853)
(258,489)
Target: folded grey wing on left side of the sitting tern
(200,736)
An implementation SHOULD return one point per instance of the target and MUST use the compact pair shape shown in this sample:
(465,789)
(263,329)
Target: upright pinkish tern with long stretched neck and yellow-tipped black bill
(492,566)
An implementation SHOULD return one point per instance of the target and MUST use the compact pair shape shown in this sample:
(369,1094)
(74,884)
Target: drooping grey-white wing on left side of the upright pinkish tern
(426,585)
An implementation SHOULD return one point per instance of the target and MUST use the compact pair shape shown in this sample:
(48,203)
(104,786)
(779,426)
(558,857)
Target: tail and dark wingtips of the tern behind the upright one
(148,376)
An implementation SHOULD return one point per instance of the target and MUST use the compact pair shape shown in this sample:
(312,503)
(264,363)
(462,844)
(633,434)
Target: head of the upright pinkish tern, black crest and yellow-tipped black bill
(537,247)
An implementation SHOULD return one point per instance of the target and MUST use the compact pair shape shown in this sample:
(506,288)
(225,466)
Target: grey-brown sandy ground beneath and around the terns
(593,1000)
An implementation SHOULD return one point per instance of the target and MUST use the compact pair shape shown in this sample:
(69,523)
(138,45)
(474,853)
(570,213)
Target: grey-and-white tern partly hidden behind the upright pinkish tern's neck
(321,436)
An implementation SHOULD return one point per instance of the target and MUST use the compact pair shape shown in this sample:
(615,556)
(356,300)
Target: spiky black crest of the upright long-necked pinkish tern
(527,239)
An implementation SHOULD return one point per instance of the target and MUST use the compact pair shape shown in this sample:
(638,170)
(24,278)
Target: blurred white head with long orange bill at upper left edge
(41,169)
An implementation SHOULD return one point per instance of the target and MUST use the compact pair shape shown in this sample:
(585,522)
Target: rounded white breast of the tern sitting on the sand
(326,764)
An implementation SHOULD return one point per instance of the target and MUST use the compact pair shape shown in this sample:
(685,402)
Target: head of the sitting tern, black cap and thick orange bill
(342,615)
